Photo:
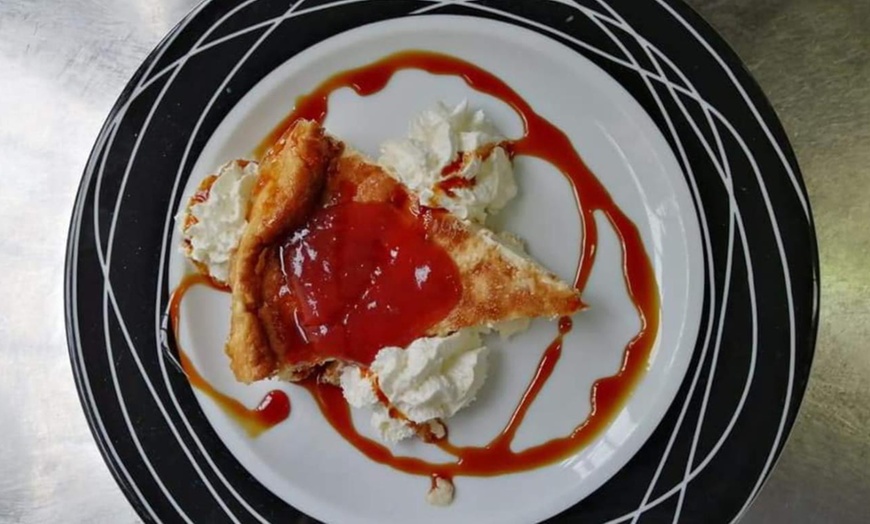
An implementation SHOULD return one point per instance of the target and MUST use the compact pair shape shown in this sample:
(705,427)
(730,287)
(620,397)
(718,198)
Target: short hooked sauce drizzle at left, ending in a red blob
(272,410)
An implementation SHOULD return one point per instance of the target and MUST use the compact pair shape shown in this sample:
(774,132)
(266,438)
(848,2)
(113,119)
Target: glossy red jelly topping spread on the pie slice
(365,276)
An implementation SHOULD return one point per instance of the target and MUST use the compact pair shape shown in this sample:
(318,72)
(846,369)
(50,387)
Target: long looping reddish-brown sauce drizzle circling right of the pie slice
(545,141)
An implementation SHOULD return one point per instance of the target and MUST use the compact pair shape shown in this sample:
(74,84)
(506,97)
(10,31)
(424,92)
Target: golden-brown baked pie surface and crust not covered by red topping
(304,169)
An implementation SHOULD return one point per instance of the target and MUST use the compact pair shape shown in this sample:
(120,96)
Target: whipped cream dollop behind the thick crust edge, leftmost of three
(212,226)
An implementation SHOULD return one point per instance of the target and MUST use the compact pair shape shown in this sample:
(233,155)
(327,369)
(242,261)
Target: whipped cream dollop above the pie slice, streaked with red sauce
(447,143)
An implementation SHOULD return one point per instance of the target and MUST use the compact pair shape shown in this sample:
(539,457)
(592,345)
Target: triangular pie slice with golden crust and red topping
(338,260)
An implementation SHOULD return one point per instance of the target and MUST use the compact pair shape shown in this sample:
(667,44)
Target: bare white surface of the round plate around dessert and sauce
(303,460)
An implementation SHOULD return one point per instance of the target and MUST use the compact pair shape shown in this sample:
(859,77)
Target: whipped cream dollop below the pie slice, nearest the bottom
(431,379)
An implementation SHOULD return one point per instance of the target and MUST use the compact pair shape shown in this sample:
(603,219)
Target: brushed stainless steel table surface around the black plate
(63,63)
